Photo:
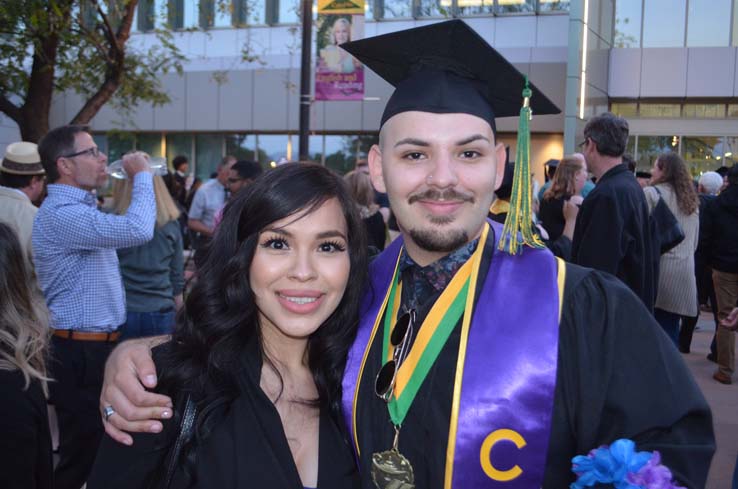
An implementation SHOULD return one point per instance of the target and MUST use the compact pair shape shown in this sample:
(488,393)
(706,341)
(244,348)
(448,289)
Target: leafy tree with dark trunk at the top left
(49,46)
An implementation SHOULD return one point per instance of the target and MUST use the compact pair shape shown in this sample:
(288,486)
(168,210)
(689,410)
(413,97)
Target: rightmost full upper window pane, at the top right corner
(708,23)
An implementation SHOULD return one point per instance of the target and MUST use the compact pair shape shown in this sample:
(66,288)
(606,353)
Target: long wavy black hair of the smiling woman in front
(220,313)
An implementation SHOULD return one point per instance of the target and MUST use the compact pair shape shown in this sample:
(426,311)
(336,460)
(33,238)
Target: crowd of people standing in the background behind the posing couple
(75,279)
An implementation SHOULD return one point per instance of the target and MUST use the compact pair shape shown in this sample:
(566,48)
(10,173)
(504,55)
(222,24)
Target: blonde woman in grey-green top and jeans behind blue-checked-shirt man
(153,274)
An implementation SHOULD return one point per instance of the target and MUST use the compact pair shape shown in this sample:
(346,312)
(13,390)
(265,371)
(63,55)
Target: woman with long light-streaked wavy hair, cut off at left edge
(25,439)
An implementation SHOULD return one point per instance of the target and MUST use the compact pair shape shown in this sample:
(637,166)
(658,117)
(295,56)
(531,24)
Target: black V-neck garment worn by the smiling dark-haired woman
(247,449)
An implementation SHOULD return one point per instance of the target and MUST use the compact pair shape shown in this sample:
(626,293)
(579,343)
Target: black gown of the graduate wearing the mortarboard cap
(618,376)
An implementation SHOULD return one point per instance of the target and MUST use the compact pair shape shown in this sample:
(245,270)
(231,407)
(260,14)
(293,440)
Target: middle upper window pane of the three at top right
(663,22)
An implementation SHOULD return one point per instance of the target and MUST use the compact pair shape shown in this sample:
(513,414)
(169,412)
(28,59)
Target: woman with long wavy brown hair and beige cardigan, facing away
(677,291)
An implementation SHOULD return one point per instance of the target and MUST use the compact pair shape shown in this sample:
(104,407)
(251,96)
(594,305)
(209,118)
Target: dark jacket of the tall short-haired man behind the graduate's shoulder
(614,234)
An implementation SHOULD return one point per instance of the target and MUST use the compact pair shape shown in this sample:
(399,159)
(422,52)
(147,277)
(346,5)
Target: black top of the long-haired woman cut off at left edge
(25,439)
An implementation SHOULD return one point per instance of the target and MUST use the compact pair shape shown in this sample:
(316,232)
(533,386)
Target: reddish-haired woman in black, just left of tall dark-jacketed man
(567,183)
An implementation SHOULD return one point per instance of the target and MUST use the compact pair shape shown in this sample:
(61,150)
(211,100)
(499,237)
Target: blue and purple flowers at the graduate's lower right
(620,465)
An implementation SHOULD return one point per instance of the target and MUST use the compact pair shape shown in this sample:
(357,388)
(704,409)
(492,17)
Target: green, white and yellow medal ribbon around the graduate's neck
(431,337)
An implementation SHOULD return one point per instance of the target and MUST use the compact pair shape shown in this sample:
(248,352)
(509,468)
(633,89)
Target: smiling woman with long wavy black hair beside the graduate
(260,346)
